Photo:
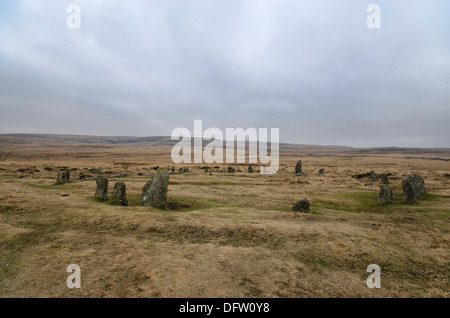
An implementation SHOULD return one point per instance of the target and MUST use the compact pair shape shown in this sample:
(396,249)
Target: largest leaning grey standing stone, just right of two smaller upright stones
(154,192)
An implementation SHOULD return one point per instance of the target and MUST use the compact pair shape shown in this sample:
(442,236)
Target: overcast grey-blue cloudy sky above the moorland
(313,69)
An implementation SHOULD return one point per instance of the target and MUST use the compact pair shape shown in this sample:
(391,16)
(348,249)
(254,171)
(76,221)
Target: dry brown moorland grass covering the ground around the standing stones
(234,235)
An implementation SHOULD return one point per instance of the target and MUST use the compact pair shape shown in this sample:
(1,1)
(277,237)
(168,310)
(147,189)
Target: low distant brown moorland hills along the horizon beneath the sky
(51,140)
